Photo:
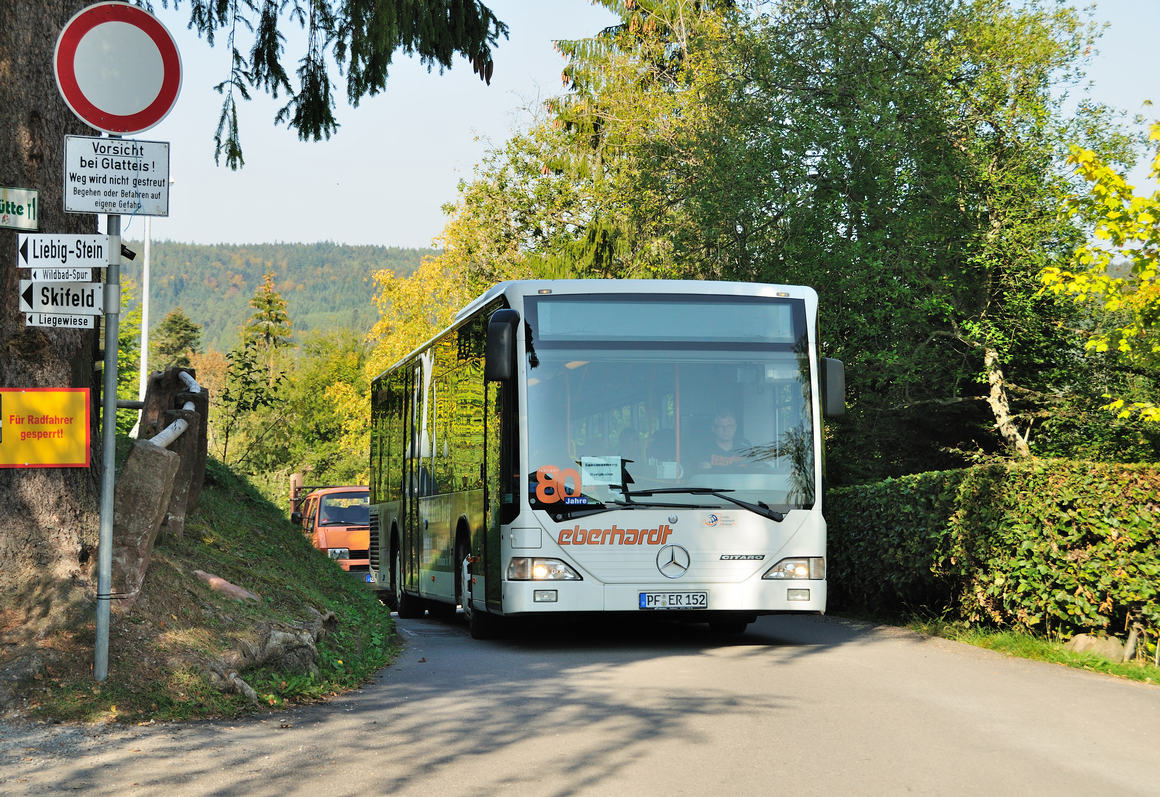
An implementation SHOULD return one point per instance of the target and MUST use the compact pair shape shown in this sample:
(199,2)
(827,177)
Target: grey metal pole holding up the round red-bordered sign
(110,448)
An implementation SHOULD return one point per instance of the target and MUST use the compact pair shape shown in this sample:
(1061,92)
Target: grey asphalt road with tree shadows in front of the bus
(797,706)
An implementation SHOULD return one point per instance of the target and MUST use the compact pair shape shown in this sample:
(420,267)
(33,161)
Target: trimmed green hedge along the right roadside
(1048,546)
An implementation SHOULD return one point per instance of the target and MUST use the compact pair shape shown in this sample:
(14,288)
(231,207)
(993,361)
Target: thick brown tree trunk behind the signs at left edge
(49,517)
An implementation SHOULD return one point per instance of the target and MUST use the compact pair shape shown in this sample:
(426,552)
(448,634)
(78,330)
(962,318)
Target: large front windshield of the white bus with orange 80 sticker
(669,395)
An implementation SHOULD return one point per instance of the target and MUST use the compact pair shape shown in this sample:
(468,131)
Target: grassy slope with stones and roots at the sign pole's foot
(158,651)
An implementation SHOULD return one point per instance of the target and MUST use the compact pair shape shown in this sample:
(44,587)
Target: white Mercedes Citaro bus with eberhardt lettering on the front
(607,446)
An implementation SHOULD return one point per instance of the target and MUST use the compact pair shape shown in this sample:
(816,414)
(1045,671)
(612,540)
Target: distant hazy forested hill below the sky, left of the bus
(325,285)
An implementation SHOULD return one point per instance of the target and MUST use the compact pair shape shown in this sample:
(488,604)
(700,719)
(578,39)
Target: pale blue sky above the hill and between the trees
(385,177)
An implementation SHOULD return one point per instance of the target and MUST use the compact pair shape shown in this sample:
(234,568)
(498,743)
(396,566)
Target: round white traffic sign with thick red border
(118,68)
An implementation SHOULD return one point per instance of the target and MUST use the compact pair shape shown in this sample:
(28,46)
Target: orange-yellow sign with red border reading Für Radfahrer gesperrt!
(45,428)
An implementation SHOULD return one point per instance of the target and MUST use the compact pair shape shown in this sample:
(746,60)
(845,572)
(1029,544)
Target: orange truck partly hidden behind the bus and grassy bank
(338,523)
